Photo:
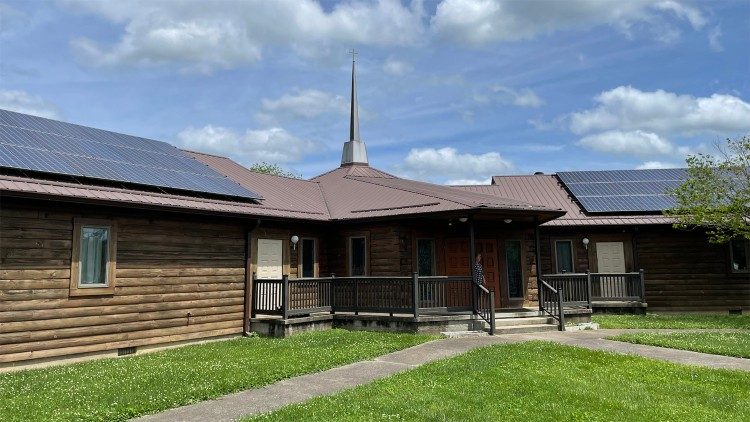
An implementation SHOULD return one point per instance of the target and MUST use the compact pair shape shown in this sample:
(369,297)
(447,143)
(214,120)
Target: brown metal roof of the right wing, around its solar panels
(548,190)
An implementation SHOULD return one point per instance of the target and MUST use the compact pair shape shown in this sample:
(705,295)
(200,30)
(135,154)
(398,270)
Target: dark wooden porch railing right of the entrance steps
(581,289)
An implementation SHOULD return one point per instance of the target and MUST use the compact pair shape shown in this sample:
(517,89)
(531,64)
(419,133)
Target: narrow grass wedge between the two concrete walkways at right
(729,344)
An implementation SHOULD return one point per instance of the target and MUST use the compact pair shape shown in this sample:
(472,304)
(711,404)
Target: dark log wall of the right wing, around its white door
(683,271)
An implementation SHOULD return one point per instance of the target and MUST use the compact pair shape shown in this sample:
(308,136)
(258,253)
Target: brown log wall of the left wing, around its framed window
(175,280)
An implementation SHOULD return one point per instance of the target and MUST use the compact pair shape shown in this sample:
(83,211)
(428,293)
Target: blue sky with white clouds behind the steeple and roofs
(450,91)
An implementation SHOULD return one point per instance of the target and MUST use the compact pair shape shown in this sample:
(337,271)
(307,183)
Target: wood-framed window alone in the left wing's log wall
(92,270)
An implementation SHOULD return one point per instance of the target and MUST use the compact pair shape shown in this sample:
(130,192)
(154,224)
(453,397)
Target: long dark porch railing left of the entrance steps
(390,295)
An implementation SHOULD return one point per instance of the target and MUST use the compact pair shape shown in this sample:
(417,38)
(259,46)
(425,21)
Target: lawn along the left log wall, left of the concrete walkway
(118,389)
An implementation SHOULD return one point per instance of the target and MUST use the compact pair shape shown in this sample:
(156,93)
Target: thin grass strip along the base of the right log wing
(669,320)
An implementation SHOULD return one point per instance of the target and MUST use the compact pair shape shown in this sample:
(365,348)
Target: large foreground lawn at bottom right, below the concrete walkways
(538,381)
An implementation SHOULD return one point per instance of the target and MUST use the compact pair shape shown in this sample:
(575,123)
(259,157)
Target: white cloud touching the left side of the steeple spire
(309,103)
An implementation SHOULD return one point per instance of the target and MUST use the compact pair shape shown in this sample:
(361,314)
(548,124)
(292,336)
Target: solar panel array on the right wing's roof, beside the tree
(612,191)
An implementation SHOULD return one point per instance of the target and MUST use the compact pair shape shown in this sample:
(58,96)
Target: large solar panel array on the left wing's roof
(49,146)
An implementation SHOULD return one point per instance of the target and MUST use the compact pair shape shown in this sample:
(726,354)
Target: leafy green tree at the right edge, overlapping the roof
(716,195)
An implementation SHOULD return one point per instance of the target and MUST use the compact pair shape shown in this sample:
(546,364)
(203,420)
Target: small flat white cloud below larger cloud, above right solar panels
(637,143)
